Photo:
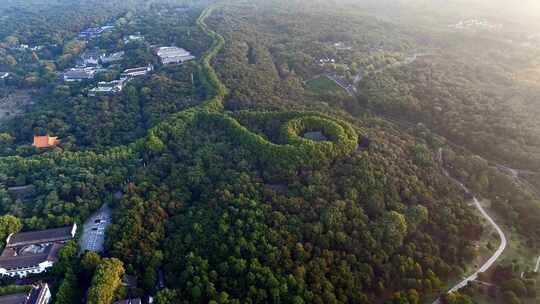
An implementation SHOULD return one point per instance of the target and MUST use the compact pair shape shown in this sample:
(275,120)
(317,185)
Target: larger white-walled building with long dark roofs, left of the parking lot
(33,252)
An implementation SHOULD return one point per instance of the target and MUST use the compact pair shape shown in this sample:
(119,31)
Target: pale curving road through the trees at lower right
(496,254)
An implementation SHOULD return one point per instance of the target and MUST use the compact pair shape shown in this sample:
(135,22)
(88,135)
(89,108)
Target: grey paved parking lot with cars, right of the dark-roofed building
(93,235)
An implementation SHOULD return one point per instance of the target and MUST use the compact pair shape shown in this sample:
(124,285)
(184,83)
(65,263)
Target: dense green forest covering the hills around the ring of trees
(242,184)
